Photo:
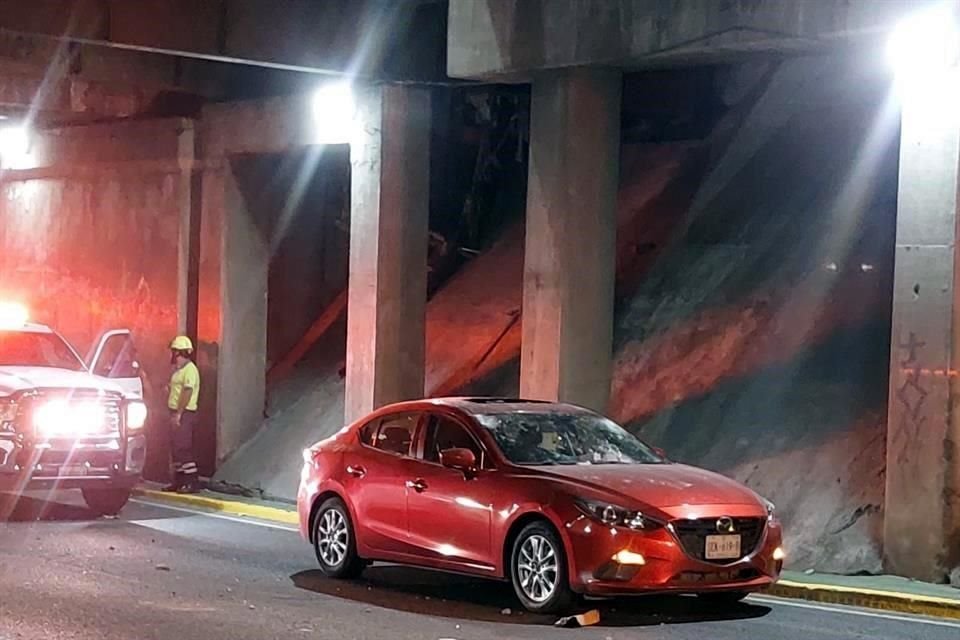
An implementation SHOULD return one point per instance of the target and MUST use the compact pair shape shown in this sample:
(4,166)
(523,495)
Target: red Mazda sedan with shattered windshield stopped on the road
(556,499)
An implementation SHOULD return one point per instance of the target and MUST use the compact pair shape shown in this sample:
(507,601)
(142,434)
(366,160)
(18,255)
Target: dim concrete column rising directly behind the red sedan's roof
(570,259)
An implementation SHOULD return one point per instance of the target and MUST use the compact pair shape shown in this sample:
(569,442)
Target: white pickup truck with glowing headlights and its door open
(66,423)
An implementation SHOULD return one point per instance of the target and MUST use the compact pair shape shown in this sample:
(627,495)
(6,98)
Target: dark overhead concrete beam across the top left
(337,36)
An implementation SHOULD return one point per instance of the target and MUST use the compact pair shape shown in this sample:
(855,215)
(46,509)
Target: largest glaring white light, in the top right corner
(924,45)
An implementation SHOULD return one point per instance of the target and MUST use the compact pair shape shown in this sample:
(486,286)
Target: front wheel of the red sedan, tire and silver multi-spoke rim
(544,586)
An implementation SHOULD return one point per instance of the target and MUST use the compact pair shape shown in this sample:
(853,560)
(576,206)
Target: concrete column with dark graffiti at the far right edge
(922,510)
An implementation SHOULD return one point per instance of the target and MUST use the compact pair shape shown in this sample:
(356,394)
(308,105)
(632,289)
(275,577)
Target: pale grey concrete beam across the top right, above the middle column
(510,39)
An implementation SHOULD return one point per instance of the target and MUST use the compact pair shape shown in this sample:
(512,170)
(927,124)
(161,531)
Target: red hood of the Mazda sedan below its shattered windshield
(662,486)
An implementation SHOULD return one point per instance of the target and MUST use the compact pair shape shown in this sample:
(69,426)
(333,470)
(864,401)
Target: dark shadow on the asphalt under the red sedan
(451,596)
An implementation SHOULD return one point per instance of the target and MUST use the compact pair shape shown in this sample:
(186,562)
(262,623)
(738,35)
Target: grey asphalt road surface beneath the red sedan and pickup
(174,574)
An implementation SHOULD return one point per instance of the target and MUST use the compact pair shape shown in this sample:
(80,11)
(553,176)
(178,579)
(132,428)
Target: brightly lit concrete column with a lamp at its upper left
(390,189)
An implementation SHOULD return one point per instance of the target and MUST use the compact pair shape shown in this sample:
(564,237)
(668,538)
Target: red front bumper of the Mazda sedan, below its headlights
(657,562)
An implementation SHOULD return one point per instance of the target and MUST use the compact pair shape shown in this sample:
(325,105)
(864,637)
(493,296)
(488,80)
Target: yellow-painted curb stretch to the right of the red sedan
(868,598)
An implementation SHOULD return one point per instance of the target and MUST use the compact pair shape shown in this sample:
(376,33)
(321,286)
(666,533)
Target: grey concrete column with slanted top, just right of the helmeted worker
(242,361)
